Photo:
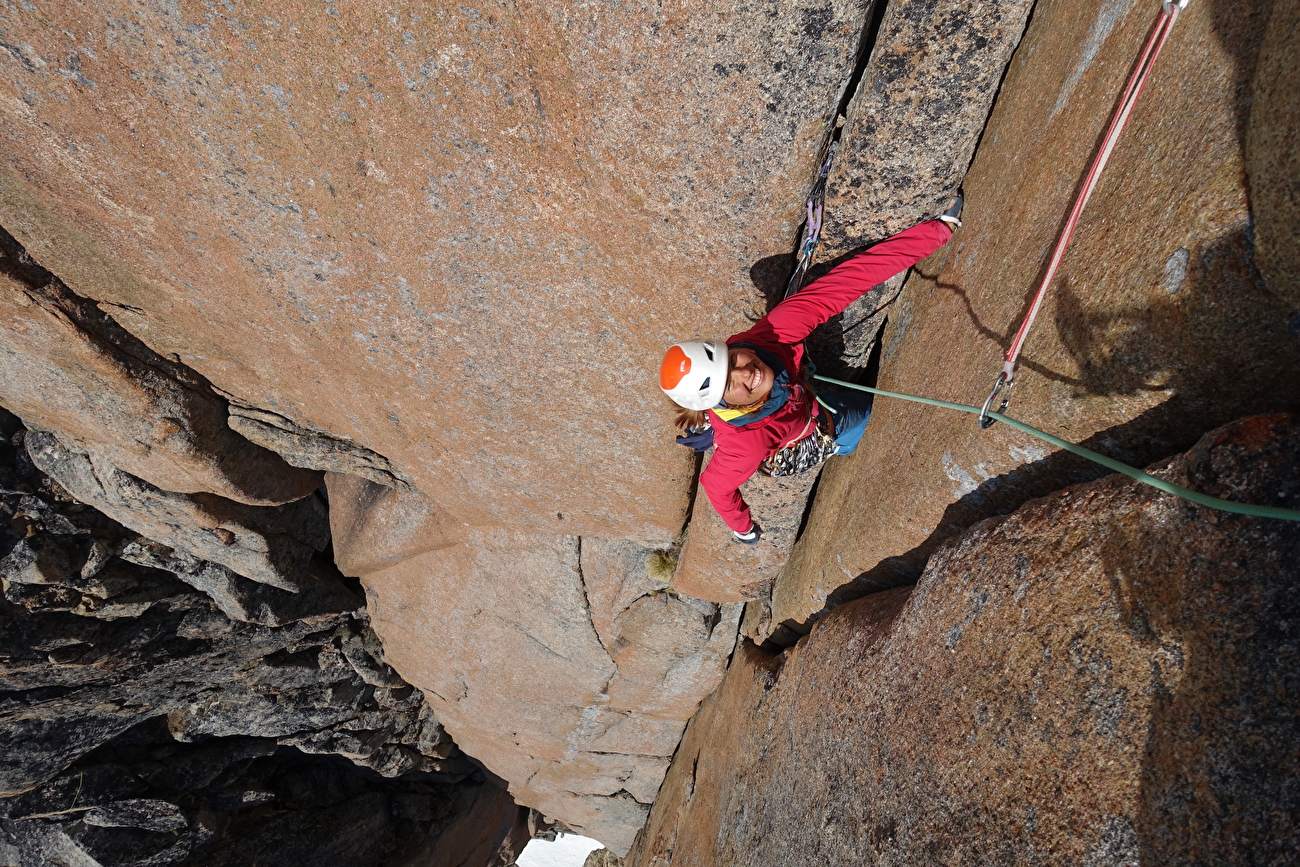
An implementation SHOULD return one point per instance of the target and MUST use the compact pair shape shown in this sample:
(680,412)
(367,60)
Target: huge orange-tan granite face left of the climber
(406,248)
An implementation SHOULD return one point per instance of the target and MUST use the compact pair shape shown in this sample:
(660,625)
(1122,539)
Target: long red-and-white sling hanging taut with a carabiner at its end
(1137,80)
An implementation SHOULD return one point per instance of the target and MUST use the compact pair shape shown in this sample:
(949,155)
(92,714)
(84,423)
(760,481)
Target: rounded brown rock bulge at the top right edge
(1273,155)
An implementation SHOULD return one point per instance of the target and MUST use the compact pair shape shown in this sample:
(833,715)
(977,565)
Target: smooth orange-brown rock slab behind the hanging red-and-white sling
(1158,328)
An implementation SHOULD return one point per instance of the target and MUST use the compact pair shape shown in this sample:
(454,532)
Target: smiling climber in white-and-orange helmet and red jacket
(749,397)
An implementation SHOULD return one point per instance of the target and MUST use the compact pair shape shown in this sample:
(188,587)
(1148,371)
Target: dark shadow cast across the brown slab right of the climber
(1177,345)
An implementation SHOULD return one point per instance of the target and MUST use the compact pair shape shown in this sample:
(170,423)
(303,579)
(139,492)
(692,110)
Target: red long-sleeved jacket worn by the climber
(740,450)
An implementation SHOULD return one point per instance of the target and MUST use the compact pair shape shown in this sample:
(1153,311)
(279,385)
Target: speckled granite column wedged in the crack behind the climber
(912,129)
